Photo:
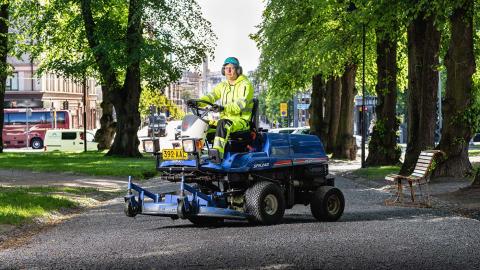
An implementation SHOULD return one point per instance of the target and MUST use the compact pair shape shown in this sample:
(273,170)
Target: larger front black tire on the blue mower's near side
(265,203)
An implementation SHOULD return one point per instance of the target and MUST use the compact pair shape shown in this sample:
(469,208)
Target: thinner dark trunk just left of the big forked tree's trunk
(104,136)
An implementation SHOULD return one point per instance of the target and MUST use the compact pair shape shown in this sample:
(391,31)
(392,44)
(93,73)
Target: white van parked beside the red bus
(68,140)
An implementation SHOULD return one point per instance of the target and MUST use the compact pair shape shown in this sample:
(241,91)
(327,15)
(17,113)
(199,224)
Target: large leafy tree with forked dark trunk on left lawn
(126,45)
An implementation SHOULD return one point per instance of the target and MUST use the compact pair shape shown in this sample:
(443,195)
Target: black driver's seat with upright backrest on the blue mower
(239,140)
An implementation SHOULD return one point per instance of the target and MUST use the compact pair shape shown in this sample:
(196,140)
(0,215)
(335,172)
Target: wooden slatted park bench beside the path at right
(420,177)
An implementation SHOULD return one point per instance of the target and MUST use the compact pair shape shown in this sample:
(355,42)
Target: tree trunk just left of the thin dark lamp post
(346,147)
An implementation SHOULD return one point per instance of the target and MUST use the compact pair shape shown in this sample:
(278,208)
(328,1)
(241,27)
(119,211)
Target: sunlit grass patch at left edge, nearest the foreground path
(22,204)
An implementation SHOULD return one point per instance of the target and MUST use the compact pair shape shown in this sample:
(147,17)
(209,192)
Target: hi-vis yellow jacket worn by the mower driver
(237,99)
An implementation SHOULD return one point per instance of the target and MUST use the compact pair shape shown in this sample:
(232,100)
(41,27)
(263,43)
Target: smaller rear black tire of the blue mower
(327,203)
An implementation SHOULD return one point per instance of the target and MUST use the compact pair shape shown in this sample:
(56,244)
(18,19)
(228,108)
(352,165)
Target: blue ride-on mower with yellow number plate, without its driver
(260,176)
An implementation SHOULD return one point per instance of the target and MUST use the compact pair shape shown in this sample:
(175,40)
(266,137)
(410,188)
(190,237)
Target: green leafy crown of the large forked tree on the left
(175,37)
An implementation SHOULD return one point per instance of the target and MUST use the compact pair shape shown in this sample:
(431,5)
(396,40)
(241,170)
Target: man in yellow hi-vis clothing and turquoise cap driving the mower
(236,97)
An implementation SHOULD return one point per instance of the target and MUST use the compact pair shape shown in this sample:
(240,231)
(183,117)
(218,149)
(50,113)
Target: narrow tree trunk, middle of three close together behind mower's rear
(334,94)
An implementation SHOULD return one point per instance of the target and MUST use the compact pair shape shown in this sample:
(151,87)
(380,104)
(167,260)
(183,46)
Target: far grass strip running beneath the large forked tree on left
(90,163)
